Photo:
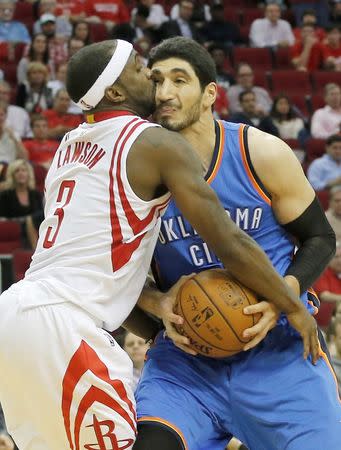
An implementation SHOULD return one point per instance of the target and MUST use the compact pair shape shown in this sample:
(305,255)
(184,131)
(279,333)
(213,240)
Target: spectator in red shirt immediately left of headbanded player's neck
(58,119)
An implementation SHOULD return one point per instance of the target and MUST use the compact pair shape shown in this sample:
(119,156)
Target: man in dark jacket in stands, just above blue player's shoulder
(251,116)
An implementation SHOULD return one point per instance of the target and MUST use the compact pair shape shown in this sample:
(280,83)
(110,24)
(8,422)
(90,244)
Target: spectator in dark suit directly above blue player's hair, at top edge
(181,26)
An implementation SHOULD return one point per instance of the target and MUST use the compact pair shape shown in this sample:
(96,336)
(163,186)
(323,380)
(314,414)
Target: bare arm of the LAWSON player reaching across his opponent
(163,158)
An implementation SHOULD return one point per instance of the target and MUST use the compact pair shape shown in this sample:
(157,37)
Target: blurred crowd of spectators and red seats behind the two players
(278,69)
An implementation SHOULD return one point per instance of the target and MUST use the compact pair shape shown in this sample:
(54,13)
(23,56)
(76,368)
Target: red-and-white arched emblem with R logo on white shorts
(87,381)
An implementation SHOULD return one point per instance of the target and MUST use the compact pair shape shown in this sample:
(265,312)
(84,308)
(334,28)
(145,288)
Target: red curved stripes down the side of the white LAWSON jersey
(122,252)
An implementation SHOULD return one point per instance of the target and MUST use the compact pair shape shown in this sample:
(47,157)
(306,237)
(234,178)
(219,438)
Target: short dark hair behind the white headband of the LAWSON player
(86,65)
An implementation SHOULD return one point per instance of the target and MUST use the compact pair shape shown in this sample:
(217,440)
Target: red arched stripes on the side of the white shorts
(84,359)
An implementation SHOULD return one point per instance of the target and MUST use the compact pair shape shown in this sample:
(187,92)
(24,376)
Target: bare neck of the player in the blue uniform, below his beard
(201,135)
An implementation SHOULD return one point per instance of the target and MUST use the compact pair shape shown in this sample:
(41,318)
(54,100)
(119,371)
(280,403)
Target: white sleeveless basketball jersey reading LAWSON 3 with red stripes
(98,236)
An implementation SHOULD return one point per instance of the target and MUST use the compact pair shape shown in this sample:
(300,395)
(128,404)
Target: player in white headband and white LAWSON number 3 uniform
(65,382)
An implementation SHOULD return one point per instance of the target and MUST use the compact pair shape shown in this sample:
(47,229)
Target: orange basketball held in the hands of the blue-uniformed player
(212,304)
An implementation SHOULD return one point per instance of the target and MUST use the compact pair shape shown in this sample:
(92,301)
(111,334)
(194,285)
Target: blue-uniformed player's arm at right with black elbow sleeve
(293,203)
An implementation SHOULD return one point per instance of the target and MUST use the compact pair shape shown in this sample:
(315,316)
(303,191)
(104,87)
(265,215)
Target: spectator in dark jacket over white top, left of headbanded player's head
(33,94)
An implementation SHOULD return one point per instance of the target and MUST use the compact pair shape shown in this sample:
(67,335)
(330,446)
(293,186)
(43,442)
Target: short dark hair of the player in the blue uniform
(191,52)
